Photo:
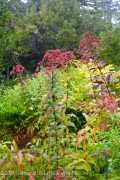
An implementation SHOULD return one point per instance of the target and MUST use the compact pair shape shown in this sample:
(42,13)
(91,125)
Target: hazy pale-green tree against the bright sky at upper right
(95,16)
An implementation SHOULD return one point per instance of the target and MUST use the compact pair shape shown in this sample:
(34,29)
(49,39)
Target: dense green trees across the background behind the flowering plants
(36,26)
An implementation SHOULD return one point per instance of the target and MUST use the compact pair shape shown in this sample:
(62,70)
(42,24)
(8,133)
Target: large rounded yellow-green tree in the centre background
(56,25)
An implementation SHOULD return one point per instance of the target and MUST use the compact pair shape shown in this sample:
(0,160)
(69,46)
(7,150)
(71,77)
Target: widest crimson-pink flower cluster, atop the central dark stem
(55,58)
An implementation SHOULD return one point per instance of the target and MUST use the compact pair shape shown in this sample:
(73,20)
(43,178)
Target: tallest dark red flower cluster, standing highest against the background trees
(88,48)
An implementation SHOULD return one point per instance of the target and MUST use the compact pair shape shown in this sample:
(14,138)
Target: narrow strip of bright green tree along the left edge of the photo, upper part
(6,26)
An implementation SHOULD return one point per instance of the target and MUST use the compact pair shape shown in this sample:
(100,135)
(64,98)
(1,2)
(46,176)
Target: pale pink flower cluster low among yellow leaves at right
(107,103)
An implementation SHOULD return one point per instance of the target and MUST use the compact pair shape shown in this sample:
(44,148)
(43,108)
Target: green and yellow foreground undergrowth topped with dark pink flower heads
(64,122)
